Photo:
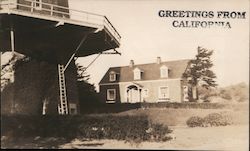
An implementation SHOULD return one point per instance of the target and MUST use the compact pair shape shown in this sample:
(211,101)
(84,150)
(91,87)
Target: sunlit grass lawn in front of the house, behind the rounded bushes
(178,117)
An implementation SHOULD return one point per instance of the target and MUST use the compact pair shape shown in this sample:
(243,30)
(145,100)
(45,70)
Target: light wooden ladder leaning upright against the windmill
(63,105)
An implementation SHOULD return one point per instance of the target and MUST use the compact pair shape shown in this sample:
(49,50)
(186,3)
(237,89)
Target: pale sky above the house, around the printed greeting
(145,35)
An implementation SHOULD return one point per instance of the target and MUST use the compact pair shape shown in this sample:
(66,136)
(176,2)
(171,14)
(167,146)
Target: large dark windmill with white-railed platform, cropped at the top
(52,34)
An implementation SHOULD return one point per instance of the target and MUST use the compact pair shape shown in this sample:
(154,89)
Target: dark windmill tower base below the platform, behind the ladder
(35,90)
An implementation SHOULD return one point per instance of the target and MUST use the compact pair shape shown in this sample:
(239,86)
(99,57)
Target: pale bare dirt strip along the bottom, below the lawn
(213,138)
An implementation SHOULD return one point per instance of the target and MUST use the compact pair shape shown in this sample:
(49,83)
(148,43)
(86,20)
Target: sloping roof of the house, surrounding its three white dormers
(151,71)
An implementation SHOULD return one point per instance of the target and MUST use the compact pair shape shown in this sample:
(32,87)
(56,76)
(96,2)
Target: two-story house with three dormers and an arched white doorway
(153,82)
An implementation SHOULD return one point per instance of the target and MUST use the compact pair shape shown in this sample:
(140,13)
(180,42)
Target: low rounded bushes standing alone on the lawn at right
(213,119)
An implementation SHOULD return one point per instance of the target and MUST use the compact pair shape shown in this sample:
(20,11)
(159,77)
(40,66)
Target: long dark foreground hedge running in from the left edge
(128,128)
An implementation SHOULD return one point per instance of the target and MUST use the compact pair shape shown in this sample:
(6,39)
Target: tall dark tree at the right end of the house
(199,72)
